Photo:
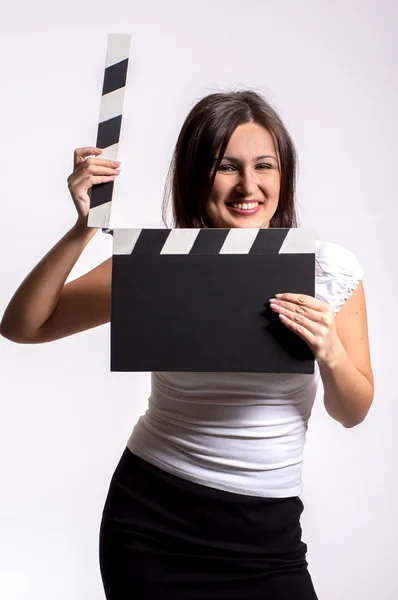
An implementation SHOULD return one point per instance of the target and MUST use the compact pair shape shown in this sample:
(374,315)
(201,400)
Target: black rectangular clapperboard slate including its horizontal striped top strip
(197,299)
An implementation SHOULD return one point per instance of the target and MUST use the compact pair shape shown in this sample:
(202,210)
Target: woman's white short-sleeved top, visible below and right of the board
(241,432)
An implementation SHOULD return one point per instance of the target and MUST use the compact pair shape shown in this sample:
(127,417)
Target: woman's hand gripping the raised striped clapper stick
(88,172)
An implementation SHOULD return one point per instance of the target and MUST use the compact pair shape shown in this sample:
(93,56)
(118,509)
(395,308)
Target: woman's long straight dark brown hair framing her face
(209,126)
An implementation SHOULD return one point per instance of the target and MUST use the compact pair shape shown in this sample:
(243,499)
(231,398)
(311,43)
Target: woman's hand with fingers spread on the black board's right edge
(311,319)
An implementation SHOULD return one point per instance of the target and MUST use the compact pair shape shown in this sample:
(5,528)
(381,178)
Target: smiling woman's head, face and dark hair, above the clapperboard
(233,149)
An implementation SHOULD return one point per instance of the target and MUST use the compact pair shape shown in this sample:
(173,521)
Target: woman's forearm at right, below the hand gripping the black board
(348,394)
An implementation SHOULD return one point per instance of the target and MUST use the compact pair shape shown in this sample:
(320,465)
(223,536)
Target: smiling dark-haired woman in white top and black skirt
(204,502)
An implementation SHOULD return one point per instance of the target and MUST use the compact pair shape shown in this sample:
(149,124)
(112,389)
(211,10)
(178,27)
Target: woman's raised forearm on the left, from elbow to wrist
(38,295)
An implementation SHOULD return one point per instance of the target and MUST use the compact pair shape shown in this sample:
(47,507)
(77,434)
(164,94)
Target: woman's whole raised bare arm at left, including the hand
(43,308)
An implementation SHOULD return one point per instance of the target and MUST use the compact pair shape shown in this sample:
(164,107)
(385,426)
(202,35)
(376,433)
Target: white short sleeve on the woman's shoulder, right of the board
(338,273)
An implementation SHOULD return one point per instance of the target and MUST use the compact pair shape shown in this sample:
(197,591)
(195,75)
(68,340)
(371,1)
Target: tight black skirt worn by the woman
(165,538)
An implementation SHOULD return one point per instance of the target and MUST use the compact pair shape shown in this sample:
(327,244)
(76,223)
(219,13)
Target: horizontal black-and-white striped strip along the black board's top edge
(214,241)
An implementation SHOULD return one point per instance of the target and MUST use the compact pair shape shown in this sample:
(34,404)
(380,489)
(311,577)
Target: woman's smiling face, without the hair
(246,187)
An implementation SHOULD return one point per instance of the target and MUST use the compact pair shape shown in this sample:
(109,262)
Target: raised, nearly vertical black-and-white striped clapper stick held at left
(110,122)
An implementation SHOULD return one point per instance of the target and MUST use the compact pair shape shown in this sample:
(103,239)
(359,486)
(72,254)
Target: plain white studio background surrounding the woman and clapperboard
(330,69)
